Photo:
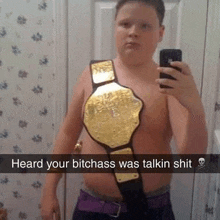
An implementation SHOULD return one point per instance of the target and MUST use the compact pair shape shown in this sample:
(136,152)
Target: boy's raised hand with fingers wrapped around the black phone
(183,88)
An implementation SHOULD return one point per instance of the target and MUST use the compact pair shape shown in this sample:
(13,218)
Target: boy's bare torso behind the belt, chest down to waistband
(152,136)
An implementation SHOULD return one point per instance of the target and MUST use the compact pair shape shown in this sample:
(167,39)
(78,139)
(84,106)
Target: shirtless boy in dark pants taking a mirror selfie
(166,112)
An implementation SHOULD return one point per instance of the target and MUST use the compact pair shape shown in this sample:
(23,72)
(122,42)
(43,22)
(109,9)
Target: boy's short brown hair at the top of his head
(157,4)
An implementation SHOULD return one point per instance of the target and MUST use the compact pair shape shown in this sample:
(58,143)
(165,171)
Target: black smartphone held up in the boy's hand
(167,56)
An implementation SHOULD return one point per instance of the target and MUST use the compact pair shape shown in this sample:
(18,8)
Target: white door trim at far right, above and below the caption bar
(204,190)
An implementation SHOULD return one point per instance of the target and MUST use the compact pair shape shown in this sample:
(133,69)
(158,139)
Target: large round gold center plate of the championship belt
(112,114)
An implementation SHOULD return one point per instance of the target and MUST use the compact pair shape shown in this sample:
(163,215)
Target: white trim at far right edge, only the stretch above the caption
(210,78)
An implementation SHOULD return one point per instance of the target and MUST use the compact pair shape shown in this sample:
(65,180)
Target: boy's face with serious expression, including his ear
(137,31)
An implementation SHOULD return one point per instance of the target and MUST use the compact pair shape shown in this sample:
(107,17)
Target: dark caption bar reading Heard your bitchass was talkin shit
(147,163)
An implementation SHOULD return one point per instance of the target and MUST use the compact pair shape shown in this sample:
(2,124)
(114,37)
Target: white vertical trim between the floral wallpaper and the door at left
(60,71)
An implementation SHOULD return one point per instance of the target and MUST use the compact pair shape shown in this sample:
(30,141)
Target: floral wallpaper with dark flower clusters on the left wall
(26,97)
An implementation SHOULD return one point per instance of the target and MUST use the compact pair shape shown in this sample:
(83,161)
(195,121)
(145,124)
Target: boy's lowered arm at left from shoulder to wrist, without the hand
(69,131)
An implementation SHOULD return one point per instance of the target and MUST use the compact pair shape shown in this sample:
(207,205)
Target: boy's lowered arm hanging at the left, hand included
(64,144)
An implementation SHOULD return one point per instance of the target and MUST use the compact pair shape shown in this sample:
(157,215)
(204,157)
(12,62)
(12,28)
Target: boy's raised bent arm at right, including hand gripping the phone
(186,111)
